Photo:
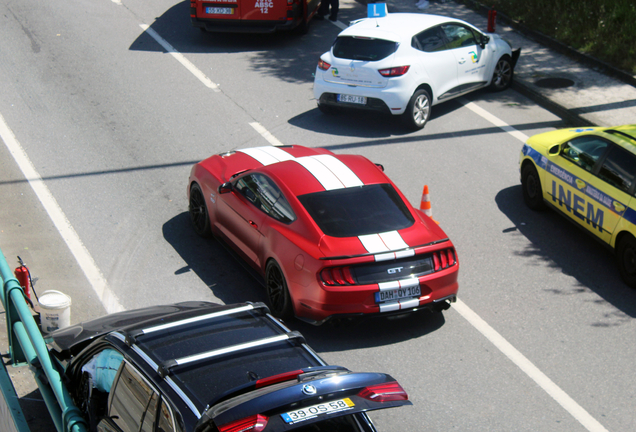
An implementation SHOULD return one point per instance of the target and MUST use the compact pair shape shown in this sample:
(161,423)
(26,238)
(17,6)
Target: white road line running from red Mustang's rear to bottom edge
(562,398)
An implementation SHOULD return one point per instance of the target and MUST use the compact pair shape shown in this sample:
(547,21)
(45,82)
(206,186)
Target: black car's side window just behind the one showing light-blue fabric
(131,399)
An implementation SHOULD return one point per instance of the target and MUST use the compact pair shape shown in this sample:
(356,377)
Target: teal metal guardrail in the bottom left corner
(26,345)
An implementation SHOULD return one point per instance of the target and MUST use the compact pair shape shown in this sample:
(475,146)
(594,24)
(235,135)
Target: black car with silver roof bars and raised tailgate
(204,367)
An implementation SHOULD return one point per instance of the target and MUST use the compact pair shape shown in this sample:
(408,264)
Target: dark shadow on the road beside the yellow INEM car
(566,247)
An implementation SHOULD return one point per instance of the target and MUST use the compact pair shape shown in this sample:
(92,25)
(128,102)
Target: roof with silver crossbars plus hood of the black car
(230,346)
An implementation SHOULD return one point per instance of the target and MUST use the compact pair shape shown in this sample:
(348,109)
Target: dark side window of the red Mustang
(265,195)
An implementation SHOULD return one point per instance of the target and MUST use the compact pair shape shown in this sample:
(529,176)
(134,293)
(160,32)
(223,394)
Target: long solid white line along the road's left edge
(82,256)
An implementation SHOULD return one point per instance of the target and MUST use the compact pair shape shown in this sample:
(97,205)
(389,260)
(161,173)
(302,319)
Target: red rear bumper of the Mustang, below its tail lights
(437,289)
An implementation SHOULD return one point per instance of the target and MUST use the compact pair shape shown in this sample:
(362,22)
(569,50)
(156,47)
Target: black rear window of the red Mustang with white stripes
(356,211)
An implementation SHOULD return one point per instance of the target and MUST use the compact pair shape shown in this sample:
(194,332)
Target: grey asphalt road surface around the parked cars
(543,337)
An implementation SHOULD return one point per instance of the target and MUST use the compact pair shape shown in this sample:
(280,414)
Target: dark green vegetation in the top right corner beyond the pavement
(605,29)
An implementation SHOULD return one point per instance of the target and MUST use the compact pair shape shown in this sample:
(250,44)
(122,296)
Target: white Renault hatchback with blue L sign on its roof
(404,63)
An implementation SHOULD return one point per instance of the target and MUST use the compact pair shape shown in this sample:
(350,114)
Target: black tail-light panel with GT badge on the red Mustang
(387,271)
